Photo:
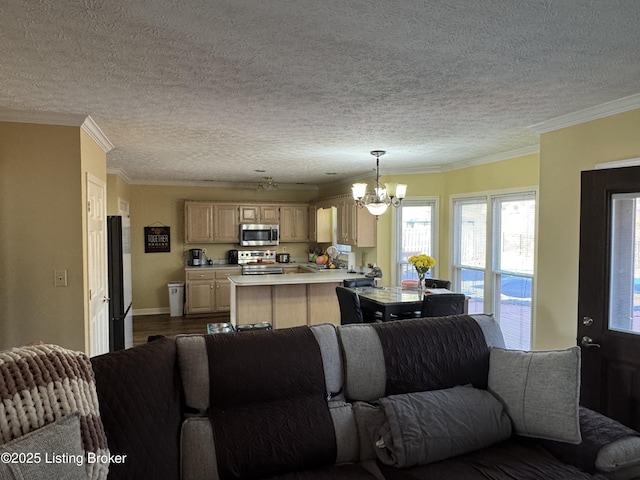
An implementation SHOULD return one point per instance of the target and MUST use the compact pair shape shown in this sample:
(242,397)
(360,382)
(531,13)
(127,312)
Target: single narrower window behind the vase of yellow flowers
(416,233)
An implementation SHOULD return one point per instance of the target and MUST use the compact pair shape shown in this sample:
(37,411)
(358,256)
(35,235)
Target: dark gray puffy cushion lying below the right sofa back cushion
(425,427)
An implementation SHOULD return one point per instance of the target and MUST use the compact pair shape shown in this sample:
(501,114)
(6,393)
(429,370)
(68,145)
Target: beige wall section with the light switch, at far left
(40,231)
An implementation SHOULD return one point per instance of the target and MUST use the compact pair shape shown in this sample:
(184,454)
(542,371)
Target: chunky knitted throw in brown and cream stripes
(42,383)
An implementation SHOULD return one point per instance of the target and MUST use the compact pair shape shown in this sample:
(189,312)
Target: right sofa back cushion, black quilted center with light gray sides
(414,355)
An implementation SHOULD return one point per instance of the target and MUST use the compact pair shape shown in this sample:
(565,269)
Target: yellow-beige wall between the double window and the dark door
(563,155)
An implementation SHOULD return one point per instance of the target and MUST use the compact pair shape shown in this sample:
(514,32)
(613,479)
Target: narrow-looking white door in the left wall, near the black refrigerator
(97,266)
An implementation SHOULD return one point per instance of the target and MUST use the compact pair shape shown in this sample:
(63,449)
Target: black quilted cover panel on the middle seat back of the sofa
(269,409)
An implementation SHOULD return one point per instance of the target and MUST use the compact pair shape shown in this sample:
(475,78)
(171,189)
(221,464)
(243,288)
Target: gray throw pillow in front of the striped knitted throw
(53,451)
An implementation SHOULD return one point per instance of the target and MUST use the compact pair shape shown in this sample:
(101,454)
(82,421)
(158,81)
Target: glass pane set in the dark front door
(624,298)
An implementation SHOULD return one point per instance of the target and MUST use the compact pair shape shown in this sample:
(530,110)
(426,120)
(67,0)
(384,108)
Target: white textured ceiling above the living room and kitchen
(213,90)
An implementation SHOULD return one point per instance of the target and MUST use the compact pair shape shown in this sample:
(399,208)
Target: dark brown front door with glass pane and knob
(609,293)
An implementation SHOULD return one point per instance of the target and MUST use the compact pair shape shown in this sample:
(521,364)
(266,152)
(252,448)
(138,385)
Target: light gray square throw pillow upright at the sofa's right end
(540,390)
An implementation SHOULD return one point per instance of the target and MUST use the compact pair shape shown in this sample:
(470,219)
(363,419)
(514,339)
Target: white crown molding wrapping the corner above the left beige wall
(64,119)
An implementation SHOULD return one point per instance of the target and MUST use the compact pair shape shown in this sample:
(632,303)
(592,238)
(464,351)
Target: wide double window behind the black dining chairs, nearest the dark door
(494,245)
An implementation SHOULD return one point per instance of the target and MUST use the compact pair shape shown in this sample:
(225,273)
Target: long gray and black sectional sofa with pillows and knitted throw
(434,398)
